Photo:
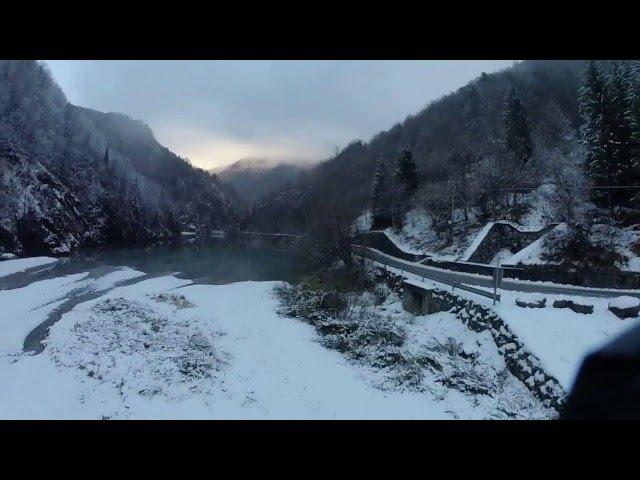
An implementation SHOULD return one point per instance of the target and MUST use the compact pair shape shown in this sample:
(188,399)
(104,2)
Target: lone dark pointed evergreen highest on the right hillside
(517,132)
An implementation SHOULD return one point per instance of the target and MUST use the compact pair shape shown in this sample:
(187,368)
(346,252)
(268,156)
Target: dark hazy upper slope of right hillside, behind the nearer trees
(468,120)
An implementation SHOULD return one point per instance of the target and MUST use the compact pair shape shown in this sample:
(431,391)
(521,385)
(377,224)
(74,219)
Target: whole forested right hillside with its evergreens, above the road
(554,139)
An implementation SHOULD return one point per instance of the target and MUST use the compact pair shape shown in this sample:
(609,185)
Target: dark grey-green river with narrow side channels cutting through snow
(210,263)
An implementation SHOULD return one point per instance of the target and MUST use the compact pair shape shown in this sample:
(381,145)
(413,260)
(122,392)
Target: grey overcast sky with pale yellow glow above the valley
(217,112)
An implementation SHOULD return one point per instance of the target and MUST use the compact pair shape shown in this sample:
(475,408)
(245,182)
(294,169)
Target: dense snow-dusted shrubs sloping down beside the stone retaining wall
(373,331)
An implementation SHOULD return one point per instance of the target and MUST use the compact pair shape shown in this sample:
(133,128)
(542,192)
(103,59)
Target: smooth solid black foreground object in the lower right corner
(608,384)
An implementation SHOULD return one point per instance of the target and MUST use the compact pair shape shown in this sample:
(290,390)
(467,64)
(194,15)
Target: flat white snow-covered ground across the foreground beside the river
(165,348)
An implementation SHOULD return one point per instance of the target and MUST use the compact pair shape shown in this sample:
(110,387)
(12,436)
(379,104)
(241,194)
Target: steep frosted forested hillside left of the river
(72,176)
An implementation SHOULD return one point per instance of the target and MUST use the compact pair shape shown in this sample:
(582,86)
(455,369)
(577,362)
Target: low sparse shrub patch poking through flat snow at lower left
(140,351)
